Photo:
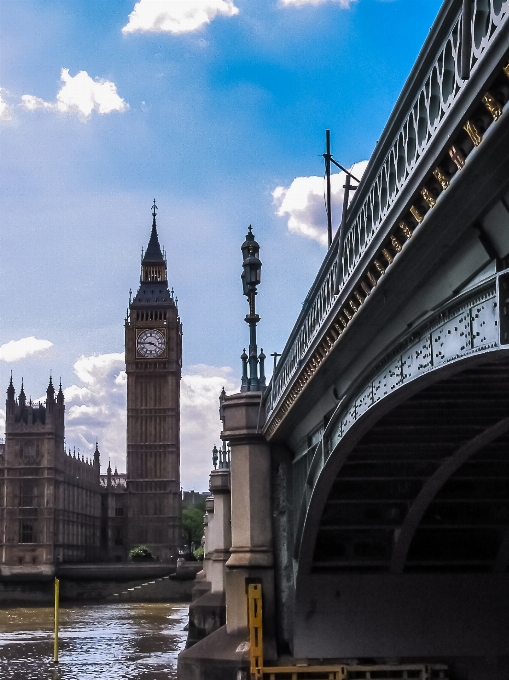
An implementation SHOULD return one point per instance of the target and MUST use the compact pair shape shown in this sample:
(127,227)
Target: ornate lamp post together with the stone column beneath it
(251,553)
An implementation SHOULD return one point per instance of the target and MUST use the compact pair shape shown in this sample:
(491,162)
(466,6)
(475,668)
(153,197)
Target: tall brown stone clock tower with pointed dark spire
(153,356)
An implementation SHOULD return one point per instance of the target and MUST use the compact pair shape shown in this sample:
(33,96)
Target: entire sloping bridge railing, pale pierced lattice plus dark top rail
(430,94)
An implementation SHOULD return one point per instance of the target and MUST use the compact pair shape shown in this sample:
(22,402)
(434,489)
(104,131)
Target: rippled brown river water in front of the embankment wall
(104,642)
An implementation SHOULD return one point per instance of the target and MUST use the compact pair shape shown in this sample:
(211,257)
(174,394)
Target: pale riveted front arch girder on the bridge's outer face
(465,332)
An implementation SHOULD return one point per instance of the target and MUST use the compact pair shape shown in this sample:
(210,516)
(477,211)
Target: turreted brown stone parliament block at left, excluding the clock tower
(49,500)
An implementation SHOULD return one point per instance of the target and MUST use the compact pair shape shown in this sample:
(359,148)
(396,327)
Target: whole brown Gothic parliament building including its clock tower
(56,507)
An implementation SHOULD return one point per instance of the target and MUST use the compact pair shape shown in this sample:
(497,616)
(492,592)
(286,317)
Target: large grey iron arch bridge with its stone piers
(368,490)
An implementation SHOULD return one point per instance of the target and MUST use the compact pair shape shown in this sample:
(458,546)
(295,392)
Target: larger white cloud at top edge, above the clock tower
(176,16)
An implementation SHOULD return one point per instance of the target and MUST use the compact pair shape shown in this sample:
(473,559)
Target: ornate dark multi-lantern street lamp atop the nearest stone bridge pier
(251,277)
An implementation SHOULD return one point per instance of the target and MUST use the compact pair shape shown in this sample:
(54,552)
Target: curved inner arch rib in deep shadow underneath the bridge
(432,487)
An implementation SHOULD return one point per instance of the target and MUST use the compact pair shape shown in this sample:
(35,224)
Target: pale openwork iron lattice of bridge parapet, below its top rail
(434,100)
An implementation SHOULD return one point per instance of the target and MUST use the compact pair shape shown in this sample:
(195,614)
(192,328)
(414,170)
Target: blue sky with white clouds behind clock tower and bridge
(223,121)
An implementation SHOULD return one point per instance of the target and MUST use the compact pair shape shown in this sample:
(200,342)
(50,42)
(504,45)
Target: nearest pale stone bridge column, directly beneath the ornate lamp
(251,559)
